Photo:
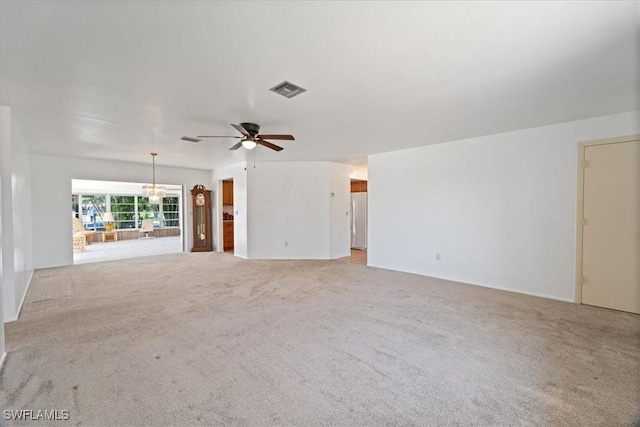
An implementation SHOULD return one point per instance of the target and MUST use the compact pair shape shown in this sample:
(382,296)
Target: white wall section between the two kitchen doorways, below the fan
(302,204)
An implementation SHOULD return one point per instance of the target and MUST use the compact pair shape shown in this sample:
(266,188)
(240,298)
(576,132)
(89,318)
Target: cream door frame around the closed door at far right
(582,145)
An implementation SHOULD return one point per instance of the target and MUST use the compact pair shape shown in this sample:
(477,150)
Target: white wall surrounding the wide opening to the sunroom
(51,189)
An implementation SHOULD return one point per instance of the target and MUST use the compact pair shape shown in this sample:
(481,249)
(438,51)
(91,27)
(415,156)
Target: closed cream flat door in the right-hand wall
(611,231)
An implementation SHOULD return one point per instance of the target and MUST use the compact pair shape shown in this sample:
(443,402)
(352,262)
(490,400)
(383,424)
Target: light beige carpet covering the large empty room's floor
(209,339)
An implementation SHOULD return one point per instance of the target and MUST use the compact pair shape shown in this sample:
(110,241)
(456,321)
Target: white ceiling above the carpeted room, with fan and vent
(117,80)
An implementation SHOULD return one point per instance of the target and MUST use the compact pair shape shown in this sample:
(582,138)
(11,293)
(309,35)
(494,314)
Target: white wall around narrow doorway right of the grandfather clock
(238,173)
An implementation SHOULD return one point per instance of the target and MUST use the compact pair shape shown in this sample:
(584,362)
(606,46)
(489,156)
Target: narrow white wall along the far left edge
(17,244)
